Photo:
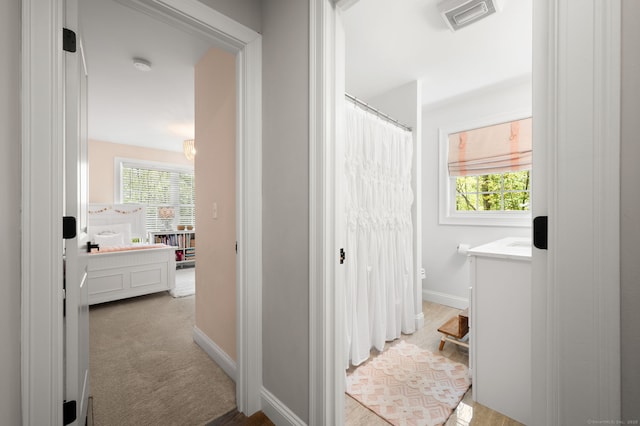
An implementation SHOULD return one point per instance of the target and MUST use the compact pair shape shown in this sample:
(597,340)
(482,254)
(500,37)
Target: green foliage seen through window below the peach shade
(508,191)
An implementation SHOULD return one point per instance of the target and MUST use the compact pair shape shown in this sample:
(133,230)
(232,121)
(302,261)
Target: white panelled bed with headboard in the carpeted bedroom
(125,265)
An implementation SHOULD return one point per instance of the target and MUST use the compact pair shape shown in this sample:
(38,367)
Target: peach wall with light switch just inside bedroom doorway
(215,125)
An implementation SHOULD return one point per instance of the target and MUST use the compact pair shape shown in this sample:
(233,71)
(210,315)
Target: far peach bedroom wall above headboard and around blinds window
(101,161)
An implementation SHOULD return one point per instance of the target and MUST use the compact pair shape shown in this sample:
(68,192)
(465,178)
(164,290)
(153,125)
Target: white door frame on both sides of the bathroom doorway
(554,99)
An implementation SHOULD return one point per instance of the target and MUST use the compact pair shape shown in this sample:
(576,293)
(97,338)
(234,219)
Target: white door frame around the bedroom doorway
(42,374)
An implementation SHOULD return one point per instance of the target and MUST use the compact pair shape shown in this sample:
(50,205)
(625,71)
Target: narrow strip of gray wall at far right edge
(630,212)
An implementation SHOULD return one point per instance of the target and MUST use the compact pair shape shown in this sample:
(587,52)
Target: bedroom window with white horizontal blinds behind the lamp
(162,188)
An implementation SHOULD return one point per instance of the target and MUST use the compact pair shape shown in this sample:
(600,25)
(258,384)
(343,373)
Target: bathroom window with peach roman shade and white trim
(485,176)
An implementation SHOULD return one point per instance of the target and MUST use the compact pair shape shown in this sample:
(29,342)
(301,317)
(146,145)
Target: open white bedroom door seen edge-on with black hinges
(76,320)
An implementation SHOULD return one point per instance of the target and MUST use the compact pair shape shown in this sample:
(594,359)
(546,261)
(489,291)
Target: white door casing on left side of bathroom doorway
(326,377)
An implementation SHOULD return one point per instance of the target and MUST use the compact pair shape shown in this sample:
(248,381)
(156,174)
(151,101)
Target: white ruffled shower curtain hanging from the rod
(379,293)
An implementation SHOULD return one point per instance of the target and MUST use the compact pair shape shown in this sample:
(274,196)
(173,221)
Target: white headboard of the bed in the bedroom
(129,219)
